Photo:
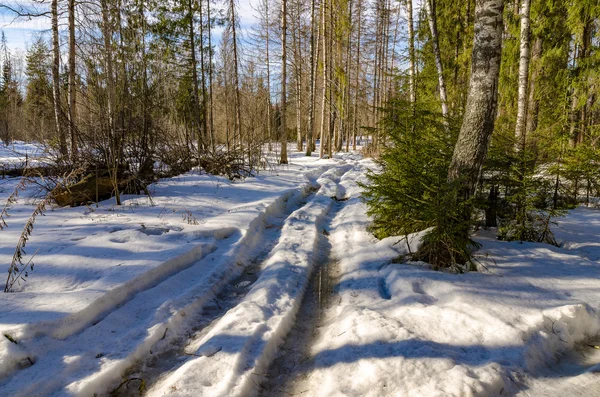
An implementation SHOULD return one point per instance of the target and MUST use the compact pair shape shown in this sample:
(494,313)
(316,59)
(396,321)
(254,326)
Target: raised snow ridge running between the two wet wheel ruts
(231,356)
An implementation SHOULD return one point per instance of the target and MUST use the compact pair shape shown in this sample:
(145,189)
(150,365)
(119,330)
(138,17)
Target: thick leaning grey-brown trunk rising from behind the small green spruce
(478,123)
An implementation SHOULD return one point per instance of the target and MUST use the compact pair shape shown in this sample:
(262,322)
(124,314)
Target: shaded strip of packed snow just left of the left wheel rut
(93,359)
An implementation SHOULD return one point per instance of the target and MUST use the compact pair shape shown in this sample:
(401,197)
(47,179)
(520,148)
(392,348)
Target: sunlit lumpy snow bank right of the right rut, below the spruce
(405,330)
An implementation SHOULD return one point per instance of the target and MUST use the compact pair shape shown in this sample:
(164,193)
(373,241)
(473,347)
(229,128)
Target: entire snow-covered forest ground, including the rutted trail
(194,292)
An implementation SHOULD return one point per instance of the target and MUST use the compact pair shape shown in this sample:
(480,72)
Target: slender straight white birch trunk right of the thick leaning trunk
(520,129)
